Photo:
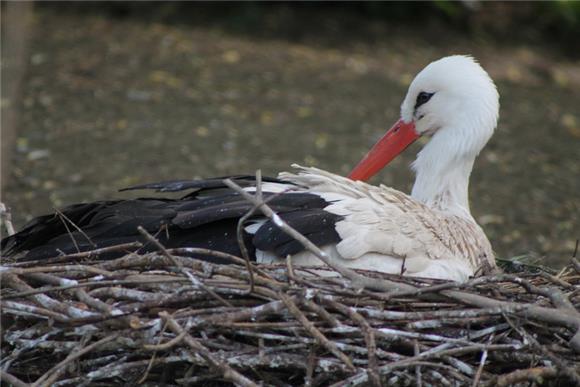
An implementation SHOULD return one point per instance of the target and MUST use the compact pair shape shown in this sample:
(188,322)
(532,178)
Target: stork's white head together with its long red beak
(453,95)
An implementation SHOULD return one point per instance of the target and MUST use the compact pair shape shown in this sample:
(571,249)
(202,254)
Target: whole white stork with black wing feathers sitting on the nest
(430,233)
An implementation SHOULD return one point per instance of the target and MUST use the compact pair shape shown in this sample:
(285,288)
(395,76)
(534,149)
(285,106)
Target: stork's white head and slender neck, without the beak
(462,116)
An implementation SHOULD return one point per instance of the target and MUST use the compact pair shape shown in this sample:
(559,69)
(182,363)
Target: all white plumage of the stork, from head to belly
(430,233)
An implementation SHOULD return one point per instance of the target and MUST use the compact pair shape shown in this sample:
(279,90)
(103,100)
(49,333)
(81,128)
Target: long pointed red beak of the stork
(399,137)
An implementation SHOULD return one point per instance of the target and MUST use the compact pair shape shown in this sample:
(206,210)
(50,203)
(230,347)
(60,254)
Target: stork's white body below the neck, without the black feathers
(386,230)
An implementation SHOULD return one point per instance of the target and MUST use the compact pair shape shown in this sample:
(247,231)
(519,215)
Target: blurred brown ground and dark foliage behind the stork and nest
(98,96)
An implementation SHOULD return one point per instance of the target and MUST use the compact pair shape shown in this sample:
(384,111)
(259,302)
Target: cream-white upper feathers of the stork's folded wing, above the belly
(385,221)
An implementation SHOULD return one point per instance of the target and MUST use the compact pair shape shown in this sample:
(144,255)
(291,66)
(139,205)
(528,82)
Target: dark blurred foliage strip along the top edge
(556,21)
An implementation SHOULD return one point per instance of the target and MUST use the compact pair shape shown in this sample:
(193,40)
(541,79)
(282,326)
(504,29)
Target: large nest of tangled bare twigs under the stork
(169,319)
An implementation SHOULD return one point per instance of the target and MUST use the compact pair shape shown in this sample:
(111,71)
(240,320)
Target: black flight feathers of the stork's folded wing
(207,217)
